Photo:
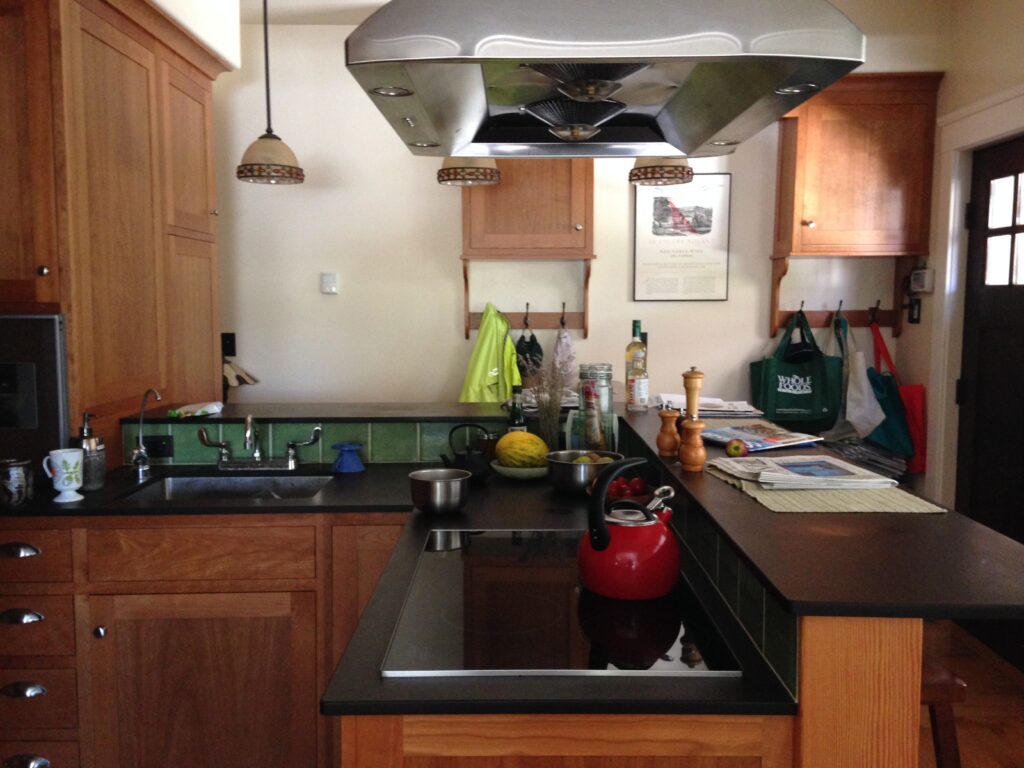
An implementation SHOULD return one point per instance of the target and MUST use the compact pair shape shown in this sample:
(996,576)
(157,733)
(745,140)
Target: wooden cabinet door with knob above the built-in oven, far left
(28,240)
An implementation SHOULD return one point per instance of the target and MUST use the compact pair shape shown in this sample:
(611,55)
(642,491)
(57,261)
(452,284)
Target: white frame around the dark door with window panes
(991,120)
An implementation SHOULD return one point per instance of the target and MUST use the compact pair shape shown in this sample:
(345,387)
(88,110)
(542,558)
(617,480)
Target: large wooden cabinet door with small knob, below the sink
(205,681)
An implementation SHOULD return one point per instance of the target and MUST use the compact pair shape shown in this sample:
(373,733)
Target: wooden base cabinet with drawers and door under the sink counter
(202,642)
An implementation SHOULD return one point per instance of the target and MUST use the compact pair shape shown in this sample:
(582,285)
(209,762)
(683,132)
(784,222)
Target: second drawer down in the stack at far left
(37,626)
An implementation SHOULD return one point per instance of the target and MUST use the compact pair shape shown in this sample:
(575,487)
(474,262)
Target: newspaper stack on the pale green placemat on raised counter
(803,473)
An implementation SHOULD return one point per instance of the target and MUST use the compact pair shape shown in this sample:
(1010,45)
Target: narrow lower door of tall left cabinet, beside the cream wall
(194,322)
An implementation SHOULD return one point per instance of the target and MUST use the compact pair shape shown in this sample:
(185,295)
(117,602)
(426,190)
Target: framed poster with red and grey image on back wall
(682,241)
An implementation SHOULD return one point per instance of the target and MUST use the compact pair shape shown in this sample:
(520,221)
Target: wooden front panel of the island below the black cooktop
(569,742)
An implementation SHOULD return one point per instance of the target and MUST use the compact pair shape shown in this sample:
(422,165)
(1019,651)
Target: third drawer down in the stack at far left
(57,708)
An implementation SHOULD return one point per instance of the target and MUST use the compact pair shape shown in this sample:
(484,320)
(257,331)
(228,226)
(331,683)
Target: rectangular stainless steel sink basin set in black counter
(214,489)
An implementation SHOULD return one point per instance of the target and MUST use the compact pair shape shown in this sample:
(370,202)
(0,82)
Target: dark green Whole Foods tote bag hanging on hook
(799,387)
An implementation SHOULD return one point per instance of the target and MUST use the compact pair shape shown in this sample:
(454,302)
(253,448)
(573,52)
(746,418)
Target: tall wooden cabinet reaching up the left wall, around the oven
(106,110)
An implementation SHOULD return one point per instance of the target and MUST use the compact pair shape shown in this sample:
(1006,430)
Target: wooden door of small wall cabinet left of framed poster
(543,209)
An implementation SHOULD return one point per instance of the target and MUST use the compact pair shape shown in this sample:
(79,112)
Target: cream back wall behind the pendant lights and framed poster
(373,212)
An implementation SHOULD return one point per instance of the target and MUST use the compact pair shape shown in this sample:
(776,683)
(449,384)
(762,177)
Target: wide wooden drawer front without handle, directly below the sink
(196,554)
